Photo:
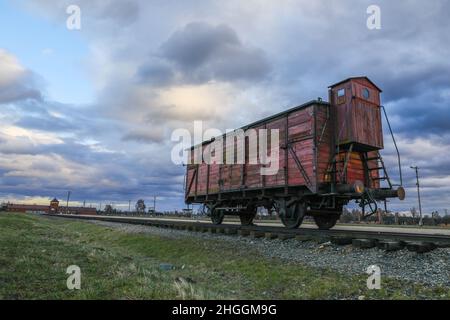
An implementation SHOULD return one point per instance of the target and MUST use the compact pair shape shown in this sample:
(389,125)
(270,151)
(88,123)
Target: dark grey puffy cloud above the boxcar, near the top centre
(202,52)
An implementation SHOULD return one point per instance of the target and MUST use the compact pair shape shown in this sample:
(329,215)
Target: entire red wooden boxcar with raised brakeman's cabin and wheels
(328,154)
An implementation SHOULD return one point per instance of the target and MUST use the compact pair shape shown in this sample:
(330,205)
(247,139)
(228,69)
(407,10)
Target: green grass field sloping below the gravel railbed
(35,252)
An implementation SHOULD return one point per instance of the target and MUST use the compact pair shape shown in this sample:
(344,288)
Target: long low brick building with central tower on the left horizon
(53,208)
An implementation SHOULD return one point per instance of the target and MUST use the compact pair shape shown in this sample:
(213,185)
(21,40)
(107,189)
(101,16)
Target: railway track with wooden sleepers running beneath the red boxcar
(390,241)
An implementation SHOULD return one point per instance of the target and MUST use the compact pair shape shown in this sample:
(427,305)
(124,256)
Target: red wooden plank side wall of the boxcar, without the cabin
(301,126)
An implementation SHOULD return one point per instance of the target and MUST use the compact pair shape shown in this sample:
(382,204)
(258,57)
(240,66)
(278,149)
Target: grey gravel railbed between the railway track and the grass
(430,269)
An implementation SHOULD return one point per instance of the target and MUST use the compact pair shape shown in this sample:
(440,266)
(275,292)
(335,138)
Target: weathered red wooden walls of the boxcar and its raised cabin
(305,146)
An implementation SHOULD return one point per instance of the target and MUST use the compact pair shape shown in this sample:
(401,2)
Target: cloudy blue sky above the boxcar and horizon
(92,110)
